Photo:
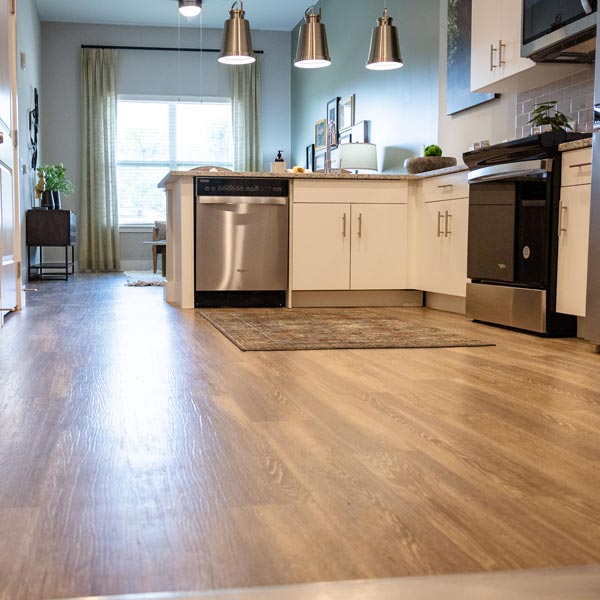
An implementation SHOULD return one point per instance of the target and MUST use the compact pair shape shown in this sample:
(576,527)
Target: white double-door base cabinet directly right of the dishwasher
(340,245)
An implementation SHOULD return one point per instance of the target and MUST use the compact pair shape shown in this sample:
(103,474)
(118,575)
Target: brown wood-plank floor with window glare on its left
(140,451)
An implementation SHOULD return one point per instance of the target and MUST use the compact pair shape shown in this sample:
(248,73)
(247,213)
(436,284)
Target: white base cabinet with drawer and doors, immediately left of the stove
(441,240)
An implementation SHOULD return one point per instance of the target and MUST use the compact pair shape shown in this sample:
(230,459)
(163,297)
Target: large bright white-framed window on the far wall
(154,137)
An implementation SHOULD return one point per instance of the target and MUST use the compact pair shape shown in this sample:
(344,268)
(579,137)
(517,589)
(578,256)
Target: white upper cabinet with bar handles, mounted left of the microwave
(496,62)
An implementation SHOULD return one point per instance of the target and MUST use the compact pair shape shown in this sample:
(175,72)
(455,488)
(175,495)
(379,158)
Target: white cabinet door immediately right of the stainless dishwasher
(321,247)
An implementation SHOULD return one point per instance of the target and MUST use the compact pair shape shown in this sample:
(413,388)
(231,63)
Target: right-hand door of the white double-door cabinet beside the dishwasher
(379,247)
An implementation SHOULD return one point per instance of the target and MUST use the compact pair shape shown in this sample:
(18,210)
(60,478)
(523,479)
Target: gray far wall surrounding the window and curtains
(155,73)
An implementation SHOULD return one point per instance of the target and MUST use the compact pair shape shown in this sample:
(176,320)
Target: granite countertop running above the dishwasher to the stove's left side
(174,175)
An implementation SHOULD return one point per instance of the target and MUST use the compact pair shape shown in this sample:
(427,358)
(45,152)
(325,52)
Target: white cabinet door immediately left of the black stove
(453,280)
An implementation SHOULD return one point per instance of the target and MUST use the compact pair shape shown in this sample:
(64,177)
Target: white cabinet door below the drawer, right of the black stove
(573,249)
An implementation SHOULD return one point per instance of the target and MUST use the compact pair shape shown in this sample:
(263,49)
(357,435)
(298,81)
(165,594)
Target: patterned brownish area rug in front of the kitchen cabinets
(326,328)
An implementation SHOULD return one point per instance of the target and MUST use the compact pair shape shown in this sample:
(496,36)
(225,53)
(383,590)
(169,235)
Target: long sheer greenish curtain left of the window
(99,223)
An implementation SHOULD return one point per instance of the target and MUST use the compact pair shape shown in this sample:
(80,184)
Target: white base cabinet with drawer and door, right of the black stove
(574,225)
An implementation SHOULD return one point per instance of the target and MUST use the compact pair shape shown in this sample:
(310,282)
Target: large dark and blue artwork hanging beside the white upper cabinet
(458,90)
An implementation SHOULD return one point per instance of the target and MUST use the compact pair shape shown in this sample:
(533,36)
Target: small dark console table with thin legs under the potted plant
(45,228)
